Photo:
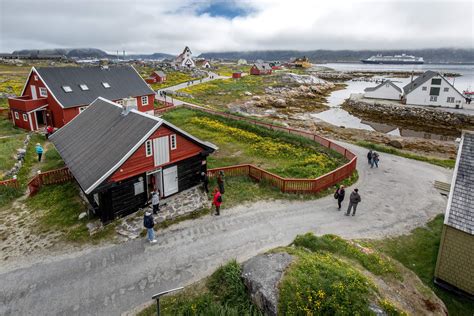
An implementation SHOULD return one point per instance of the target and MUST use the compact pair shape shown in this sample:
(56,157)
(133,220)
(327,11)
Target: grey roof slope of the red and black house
(97,139)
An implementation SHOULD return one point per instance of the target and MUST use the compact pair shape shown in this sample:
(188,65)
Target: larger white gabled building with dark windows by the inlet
(432,89)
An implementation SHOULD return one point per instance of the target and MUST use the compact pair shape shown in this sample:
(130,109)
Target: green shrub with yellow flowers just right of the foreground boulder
(321,284)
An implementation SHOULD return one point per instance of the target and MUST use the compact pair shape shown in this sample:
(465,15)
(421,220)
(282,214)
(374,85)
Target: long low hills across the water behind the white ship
(441,55)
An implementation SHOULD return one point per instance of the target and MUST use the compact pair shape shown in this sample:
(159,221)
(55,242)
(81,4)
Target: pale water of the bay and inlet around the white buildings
(339,117)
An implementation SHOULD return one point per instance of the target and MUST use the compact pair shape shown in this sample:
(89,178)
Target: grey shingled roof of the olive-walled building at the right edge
(460,212)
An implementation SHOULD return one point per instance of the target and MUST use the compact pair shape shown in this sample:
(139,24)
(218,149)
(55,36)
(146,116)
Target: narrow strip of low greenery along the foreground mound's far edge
(372,261)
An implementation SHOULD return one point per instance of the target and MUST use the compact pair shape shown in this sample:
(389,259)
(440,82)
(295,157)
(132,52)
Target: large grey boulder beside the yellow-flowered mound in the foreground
(261,275)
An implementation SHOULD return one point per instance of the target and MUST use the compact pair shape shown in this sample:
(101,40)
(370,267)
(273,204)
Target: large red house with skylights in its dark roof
(55,95)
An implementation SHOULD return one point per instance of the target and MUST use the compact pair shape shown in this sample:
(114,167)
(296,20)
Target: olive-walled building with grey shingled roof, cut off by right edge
(454,267)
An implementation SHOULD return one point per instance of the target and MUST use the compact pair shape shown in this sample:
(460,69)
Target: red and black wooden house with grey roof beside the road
(119,155)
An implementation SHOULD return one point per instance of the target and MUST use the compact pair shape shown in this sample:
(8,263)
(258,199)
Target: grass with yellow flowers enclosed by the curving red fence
(240,142)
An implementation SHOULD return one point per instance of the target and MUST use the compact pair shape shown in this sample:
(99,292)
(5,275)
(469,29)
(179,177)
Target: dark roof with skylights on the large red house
(124,82)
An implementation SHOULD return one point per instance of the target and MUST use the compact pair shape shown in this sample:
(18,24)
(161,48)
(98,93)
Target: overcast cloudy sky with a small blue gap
(147,26)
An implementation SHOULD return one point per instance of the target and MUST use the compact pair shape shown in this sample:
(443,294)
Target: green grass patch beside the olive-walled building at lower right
(418,251)
